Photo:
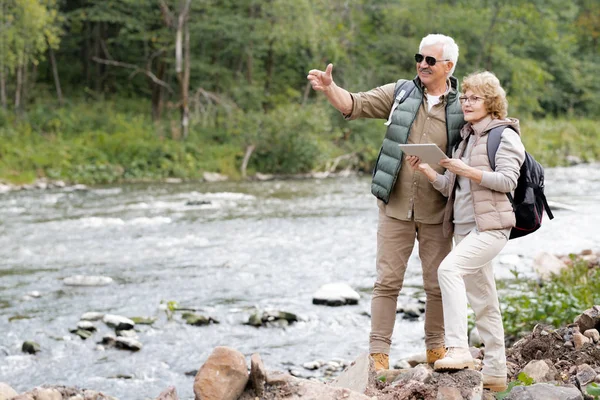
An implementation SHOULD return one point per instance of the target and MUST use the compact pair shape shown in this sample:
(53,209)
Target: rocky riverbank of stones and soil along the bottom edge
(548,363)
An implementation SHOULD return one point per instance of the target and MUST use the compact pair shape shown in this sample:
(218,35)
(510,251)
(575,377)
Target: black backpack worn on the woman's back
(529,201)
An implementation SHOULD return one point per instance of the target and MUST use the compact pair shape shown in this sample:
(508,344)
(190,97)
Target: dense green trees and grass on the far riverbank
(119,115)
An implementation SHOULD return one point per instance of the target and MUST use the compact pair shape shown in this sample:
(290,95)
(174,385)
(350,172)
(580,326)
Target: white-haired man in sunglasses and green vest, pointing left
(424,110)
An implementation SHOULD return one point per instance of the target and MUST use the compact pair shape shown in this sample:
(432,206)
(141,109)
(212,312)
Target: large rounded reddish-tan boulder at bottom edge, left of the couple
(223,376)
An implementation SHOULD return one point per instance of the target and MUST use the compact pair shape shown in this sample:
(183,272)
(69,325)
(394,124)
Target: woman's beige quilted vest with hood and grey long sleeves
(491,207)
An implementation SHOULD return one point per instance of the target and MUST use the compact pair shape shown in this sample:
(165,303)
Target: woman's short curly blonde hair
(488,86)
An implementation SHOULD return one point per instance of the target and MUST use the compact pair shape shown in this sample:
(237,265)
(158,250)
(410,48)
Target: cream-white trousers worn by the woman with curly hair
(468,269)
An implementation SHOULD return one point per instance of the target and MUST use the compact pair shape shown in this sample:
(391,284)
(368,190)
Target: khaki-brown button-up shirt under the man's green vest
(413,196)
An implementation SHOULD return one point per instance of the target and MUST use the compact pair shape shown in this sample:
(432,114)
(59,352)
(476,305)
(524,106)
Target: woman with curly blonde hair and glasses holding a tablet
(482,216)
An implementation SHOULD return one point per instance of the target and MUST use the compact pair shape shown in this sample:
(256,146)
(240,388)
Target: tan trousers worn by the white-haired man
(395,242)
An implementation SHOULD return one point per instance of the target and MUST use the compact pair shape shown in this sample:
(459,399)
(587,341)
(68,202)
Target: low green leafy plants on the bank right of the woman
(555,302)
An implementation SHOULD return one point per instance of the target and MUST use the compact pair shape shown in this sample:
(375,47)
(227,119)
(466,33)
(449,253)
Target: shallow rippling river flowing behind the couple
(243,246)
